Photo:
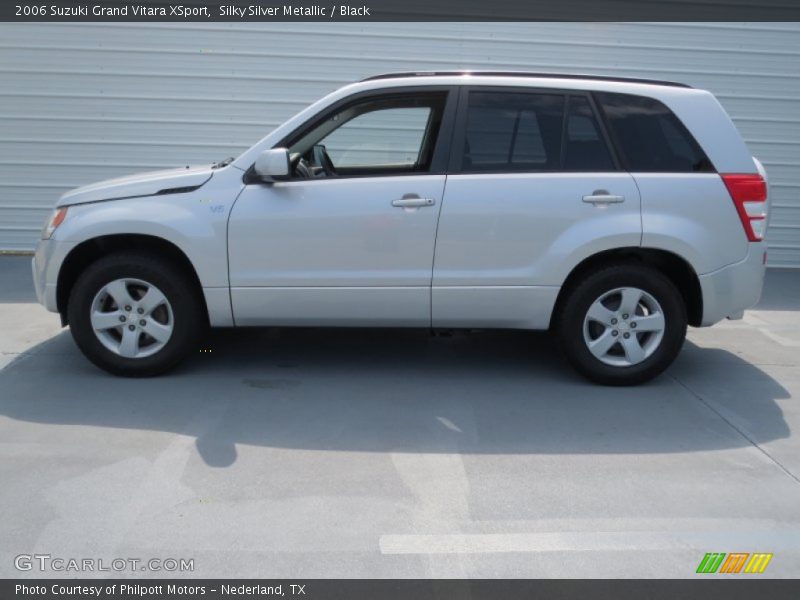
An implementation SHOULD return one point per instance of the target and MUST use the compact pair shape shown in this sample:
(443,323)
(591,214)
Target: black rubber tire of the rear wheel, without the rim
(569,323)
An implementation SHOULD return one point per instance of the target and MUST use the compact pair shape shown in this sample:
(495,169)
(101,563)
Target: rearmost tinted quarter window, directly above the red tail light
(650,137)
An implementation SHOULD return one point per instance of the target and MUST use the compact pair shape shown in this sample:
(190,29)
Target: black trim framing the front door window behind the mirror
(441,150)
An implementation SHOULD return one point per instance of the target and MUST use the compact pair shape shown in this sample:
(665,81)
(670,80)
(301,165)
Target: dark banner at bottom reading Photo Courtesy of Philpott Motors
(733,588)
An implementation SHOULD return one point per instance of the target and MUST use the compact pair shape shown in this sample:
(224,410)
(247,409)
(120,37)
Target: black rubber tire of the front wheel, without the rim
(188,315)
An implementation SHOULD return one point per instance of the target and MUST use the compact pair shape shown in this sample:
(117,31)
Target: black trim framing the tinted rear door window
(460,130)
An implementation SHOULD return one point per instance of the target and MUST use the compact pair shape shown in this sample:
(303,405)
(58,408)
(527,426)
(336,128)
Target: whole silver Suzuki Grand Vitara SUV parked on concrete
(612,211)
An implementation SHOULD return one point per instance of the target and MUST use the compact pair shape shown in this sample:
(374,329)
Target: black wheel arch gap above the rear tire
(675,267)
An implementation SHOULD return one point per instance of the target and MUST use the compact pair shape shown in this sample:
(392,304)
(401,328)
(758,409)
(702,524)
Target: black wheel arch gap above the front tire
(88,251)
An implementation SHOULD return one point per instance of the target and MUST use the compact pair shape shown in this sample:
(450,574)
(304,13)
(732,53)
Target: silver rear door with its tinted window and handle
(534,187)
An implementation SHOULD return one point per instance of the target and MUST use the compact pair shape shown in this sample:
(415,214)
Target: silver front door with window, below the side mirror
(349,238)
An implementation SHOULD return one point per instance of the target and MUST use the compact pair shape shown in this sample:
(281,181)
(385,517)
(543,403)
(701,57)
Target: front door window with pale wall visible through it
(390,135)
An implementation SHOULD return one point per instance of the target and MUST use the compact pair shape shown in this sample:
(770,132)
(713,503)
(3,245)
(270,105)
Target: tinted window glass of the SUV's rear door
(519,131)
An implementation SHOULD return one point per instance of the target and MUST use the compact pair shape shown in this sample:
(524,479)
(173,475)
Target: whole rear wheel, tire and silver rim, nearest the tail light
(622,325)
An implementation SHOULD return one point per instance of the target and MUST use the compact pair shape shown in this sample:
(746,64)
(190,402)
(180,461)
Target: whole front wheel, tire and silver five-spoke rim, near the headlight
(134,314)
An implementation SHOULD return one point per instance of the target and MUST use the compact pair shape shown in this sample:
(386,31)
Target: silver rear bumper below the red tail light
(728,291)
